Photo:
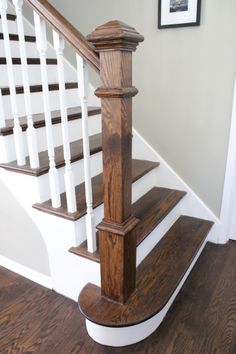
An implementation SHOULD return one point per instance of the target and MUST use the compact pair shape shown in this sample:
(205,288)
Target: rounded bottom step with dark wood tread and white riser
(117,325)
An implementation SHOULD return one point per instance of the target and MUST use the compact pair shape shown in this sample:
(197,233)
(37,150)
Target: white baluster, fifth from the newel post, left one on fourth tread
(18,135)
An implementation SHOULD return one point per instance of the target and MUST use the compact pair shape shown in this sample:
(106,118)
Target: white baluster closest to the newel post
(83,94)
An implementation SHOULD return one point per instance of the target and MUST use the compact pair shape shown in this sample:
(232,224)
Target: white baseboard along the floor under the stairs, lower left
(26,272)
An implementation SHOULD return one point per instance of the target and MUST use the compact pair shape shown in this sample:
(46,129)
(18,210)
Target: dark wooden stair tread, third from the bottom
(139,169)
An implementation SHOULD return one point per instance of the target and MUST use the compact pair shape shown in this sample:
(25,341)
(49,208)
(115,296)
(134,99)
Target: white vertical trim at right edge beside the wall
(229,190)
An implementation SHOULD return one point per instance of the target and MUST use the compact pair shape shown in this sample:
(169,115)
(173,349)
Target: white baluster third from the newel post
(41,39)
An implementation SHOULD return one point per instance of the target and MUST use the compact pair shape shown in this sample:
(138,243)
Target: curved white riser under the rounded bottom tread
(122,336)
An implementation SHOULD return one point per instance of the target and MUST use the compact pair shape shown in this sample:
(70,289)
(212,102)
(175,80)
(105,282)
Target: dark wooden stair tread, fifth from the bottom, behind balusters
(39,120)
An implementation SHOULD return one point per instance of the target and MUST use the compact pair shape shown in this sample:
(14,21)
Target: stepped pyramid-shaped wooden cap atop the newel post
(115,35)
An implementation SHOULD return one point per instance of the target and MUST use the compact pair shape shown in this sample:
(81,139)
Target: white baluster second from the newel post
(69,177)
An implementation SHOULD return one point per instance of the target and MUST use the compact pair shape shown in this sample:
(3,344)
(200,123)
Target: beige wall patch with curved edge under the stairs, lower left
(20,239)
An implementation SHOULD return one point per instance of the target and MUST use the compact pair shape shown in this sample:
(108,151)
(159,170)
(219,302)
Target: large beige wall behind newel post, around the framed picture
(185,77)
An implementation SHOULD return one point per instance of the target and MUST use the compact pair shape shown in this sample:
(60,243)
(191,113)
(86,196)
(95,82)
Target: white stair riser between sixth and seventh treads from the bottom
(34,75)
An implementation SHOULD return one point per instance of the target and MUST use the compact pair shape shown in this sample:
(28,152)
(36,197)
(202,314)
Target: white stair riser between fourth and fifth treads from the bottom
(75,133)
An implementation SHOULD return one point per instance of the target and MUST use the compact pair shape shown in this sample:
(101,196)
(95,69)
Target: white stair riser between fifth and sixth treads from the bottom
(37,102)
